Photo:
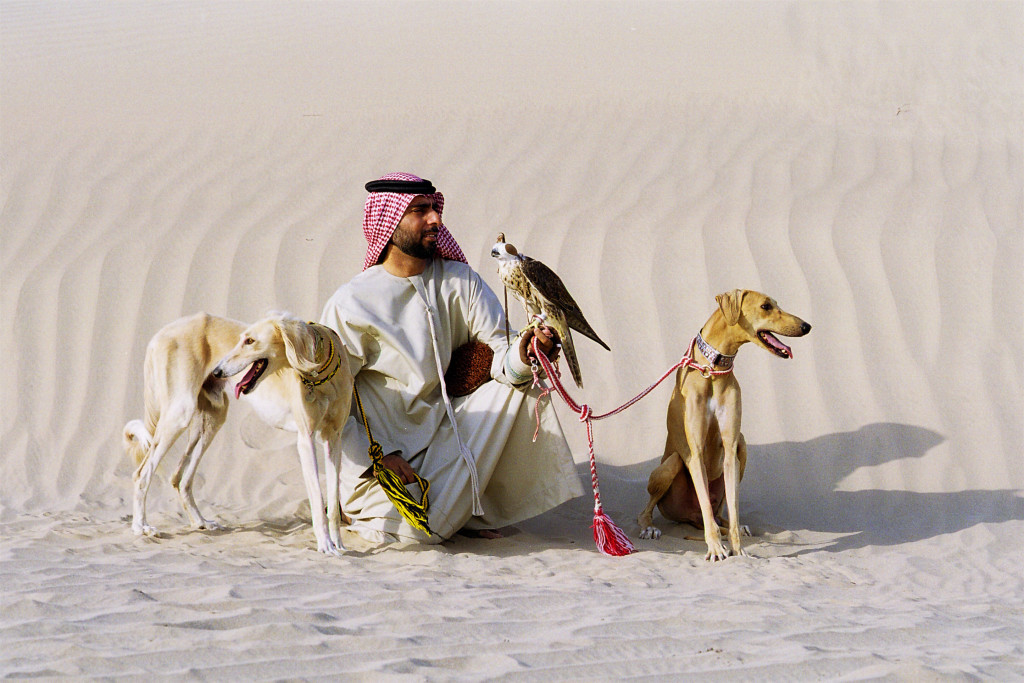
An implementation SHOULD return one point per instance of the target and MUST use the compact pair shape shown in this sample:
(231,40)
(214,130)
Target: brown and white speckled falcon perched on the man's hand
(542,292)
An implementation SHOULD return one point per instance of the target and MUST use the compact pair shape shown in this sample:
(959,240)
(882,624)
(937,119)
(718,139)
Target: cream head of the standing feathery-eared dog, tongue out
(267,347)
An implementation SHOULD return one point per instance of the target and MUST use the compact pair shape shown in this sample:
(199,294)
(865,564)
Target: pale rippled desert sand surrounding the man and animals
(860,162)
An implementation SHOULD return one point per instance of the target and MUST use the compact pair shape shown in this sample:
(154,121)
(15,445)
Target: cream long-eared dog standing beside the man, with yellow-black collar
(305,387)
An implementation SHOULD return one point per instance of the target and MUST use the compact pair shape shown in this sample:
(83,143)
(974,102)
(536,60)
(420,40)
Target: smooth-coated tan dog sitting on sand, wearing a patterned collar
(705,446)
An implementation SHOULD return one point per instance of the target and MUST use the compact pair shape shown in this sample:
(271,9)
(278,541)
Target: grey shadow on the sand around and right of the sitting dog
(793,486)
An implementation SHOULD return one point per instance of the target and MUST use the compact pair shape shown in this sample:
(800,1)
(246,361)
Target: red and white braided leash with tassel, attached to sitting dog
(610,538)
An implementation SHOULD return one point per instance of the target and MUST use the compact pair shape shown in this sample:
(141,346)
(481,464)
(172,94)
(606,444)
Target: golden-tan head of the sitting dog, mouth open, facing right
(758,319)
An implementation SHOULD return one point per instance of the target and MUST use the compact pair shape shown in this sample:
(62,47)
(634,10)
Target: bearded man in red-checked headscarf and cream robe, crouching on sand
(415,303)
